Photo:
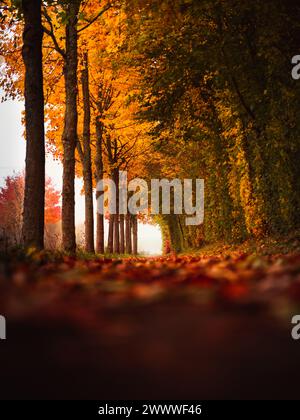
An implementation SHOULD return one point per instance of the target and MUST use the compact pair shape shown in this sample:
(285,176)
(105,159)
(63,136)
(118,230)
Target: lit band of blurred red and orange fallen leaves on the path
(248,282)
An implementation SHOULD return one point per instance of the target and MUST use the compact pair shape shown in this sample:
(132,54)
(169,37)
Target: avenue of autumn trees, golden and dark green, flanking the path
(162,89)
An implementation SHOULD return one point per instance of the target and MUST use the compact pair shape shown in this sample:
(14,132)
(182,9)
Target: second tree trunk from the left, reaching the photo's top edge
(70,128)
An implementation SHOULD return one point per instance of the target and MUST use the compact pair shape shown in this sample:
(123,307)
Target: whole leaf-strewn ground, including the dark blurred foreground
(187,327)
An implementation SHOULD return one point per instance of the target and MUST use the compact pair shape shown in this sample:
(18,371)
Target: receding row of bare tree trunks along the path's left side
(123,231)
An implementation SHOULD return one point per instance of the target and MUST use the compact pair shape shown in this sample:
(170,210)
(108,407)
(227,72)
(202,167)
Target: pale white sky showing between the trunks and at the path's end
(12,160)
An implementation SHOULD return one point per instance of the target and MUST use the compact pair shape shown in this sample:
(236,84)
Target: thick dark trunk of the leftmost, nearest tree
(34,198)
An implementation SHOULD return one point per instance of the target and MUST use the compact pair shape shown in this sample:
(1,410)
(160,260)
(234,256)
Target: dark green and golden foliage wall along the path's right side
(216,81)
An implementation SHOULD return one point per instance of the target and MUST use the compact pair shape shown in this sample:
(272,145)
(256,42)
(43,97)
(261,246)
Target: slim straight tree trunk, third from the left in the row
(86,161)
